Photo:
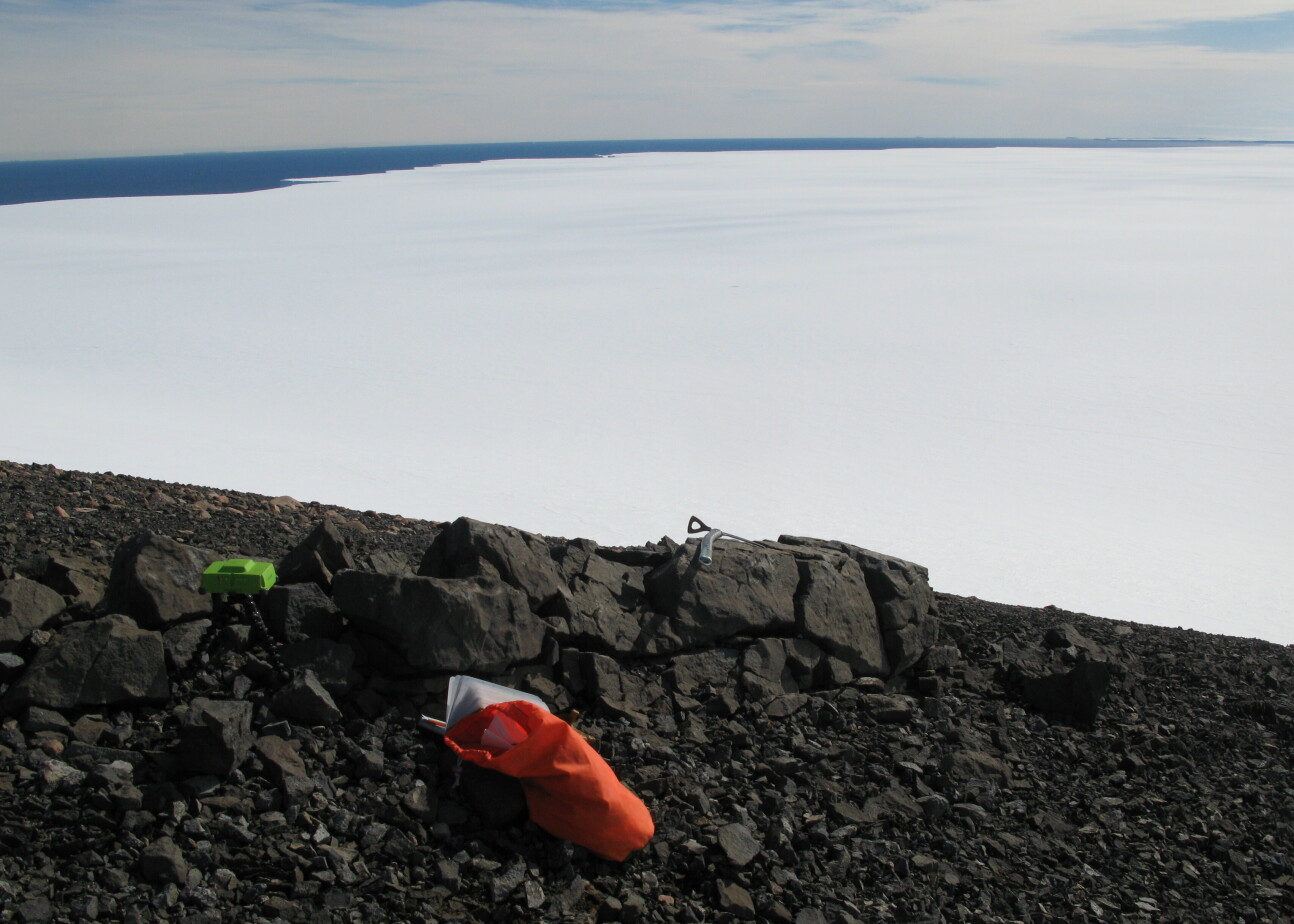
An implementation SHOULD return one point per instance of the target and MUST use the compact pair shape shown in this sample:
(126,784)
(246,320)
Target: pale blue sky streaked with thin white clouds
(83,78)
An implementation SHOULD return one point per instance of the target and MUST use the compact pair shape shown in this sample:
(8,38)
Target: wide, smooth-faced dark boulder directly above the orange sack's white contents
(476,624)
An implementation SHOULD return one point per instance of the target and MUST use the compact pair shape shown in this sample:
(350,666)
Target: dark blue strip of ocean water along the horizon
(247,173)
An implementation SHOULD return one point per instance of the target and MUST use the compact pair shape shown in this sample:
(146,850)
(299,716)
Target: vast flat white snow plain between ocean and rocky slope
(1053,376)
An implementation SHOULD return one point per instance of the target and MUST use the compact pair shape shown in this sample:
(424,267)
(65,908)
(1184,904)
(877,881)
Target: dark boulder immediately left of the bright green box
(156,580)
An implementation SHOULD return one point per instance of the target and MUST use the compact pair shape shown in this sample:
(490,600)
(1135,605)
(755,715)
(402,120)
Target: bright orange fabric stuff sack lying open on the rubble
(571,791)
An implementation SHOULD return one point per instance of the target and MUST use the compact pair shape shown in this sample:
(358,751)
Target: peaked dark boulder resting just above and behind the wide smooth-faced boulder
(469,548)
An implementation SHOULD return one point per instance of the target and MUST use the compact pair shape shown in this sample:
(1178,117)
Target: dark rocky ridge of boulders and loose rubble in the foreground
(820,736)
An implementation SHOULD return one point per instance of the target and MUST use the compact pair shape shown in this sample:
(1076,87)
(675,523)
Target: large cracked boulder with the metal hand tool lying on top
(745,591)
